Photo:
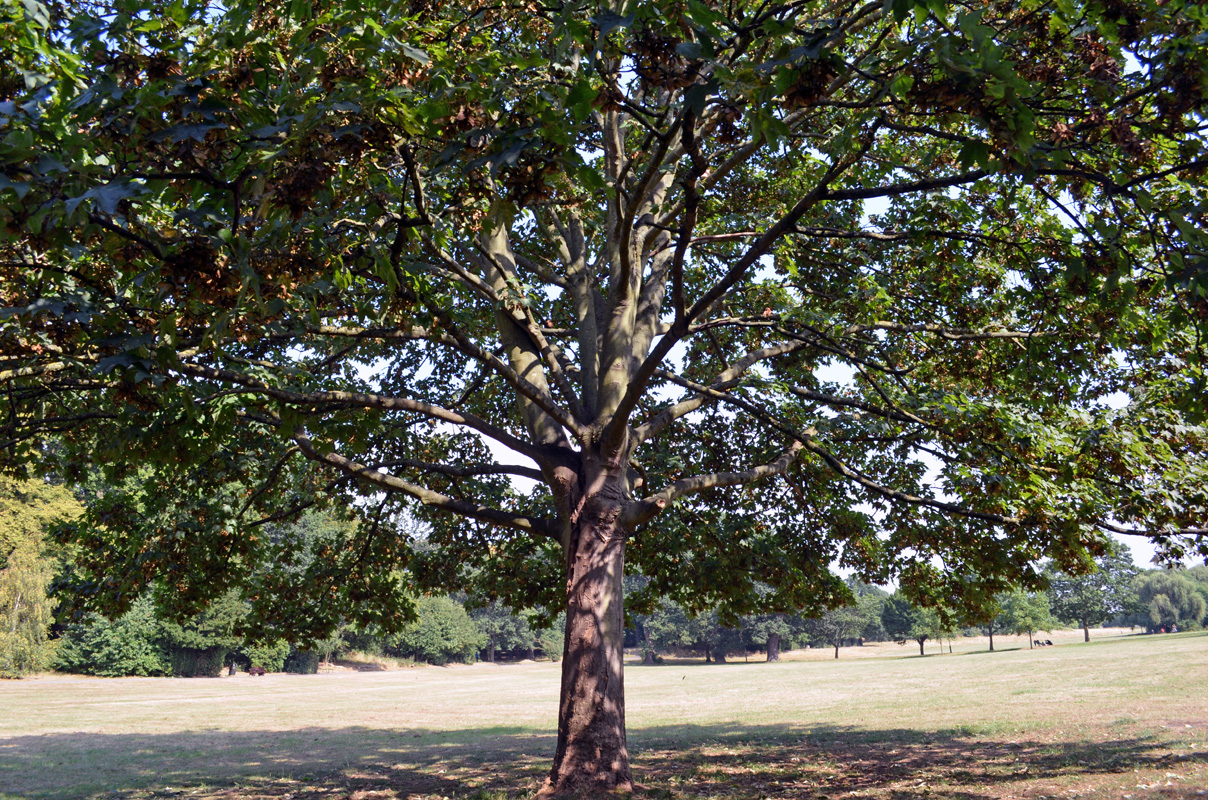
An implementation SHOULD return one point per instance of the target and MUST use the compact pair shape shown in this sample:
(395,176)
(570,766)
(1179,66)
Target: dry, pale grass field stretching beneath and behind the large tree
(1120,717)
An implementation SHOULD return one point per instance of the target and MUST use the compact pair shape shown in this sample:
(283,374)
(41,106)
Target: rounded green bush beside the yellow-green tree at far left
(126,647)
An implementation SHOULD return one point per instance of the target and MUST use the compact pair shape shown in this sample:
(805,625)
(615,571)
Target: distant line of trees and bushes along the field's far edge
(146,641)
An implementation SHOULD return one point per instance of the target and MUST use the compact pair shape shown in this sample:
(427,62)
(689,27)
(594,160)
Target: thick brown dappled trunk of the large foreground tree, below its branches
(593,757)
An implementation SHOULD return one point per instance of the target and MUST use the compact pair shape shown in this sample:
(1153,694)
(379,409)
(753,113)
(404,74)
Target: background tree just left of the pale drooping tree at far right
(1095,596)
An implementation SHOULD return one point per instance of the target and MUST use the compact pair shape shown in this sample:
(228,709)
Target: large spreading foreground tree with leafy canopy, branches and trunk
(747,289)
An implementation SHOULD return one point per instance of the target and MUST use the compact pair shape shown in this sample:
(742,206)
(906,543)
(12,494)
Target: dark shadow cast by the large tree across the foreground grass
(670,762)
